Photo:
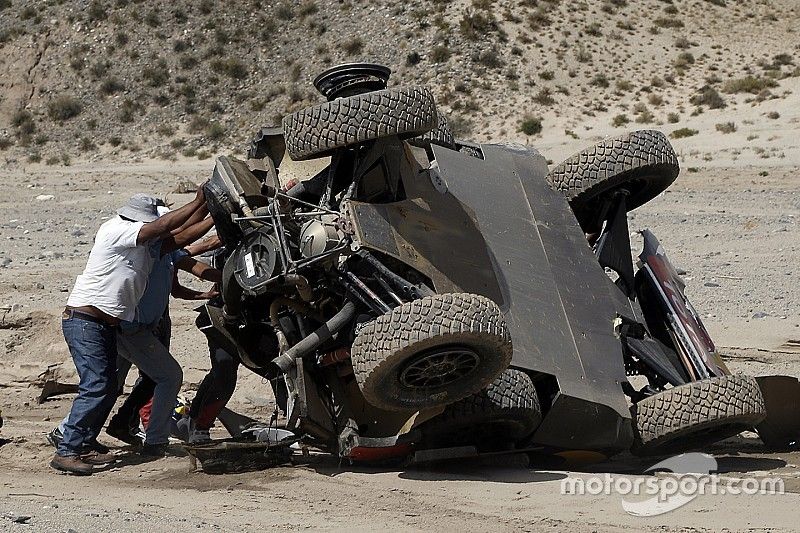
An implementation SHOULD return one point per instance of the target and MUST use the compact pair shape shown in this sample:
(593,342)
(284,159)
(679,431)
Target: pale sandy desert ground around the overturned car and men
(733,229)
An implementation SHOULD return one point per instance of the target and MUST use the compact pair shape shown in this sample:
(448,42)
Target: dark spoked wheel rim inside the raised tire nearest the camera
(439,368)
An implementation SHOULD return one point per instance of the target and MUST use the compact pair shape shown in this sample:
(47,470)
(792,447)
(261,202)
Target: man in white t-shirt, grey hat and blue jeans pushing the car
(106,293)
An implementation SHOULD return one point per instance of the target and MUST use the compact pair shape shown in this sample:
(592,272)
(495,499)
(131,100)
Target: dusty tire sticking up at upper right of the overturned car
(642,162)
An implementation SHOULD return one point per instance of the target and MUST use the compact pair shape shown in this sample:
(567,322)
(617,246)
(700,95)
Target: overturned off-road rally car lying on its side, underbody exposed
(422,294)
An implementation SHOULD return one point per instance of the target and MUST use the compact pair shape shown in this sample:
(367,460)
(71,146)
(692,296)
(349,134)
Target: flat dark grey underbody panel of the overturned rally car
(499,230)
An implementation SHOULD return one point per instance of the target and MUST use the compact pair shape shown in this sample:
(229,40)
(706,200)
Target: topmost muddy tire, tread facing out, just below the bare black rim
(320,129)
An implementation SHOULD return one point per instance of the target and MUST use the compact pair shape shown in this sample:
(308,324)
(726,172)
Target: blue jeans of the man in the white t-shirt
(94,351)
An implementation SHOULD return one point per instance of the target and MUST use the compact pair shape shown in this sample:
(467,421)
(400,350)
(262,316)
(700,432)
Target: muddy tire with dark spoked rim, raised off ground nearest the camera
(431,352)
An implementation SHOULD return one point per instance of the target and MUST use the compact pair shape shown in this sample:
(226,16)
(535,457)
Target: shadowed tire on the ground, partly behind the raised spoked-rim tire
(497,417)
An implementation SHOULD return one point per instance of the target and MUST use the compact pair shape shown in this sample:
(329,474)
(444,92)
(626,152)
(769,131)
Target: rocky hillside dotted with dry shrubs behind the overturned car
(125,79)
